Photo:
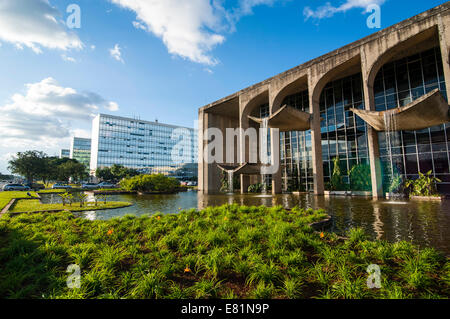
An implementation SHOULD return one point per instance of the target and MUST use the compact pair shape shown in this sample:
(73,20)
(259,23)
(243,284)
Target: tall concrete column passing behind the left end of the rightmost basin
(372,135)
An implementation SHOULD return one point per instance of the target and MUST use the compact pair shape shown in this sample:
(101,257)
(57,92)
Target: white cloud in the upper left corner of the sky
(35,24)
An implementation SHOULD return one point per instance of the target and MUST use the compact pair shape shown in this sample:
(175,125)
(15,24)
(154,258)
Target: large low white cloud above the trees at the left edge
(46,113)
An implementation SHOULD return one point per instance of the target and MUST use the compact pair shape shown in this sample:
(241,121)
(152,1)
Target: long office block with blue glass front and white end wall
(150,147)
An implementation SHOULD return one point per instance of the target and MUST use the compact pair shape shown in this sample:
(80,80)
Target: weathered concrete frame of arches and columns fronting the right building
(367,56)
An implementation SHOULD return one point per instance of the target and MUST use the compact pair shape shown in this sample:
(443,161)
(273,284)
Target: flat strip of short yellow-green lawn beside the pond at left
(32,205)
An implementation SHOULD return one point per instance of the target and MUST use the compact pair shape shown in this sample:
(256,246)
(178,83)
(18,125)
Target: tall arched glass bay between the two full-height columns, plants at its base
(344,135)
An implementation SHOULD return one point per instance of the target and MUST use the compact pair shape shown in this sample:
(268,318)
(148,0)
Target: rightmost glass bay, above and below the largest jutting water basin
(408,152)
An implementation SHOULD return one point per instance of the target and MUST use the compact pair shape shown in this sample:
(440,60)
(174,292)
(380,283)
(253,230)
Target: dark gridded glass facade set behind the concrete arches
(344,135)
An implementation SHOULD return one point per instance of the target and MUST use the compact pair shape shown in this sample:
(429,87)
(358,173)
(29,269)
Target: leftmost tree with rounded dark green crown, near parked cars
(28,164)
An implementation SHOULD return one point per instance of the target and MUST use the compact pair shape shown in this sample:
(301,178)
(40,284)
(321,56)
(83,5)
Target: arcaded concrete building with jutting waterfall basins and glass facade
(380,101)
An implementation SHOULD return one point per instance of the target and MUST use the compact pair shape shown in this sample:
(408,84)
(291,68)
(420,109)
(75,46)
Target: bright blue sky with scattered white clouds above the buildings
(62,62)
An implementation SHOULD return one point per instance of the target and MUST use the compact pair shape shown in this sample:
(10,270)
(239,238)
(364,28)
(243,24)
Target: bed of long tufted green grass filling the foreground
(219,252)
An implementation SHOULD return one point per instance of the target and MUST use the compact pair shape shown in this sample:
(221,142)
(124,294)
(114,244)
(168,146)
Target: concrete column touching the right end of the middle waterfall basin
(316,138)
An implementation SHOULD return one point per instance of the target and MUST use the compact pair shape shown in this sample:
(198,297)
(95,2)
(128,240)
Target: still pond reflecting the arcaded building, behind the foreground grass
(424,223)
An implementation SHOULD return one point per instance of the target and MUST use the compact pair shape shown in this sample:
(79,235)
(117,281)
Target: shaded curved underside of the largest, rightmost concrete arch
(414,44)
